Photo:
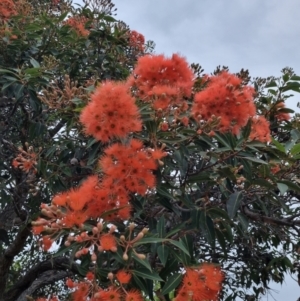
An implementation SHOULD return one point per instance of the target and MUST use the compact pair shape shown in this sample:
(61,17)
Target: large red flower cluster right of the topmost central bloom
(225,97)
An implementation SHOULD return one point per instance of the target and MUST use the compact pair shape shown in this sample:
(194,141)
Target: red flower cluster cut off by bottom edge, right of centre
(201,284)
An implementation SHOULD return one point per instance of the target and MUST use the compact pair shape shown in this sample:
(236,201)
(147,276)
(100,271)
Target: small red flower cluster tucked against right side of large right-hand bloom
(260,129)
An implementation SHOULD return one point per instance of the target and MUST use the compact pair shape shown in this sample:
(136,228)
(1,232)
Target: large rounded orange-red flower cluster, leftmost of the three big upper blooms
(111,113)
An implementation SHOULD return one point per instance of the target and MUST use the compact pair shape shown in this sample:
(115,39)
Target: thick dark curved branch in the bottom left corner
(61,263)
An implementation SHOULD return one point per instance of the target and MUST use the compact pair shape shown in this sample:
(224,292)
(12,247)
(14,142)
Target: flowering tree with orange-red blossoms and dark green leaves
(139,176)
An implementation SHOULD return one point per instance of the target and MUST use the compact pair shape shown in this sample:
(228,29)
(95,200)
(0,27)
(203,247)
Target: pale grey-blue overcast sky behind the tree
(259,35)
